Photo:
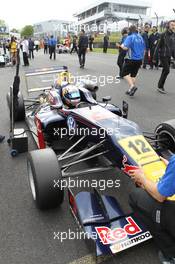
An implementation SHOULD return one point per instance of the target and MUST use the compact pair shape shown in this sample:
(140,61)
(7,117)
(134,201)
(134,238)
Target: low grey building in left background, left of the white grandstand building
(57,28)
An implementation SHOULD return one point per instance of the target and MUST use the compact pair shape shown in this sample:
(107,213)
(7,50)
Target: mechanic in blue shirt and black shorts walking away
(135,45)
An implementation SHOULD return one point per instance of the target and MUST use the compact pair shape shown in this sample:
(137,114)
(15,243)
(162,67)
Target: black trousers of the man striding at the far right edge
(165,62)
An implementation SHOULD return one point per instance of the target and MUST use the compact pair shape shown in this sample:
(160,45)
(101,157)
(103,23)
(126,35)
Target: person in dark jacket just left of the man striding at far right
(153,40)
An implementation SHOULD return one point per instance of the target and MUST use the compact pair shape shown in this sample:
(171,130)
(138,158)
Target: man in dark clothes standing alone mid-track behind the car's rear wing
(82,45)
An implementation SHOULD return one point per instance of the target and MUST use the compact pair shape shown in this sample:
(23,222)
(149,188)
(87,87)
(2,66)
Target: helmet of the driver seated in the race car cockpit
(71,95)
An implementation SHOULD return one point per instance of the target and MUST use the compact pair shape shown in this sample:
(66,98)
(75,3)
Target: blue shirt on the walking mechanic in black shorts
(136,46)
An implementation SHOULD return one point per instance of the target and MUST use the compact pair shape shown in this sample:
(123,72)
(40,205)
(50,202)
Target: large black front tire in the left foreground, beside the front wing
(43,168)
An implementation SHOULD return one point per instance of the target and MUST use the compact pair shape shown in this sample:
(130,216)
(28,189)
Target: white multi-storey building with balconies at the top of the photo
(103,13)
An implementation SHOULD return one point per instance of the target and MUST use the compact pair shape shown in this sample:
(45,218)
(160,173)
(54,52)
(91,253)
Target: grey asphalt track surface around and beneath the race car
(26,234)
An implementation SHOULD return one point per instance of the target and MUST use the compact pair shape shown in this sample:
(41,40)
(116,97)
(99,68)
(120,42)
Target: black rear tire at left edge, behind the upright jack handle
(19,114)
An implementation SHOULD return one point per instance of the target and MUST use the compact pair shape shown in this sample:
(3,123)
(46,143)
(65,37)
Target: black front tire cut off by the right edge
(166,131)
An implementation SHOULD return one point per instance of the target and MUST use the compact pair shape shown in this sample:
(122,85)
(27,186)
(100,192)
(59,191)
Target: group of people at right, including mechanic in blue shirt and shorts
(139,48)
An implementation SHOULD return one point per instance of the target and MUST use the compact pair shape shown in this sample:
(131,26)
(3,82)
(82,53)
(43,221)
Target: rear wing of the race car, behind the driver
(37,84)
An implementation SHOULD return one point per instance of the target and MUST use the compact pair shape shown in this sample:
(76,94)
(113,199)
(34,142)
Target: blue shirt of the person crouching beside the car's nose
(166,185)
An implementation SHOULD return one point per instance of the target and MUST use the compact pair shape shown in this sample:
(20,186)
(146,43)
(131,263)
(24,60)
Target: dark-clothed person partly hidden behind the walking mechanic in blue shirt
(122,53)
